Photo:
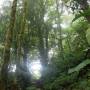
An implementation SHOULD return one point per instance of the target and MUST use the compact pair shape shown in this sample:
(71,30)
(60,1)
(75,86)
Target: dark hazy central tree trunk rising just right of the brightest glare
(43,44)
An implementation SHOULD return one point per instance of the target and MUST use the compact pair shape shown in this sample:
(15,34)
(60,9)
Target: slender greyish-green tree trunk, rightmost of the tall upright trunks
(60,30)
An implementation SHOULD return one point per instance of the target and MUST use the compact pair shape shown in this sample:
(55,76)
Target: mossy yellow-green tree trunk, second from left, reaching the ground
(20,41)
